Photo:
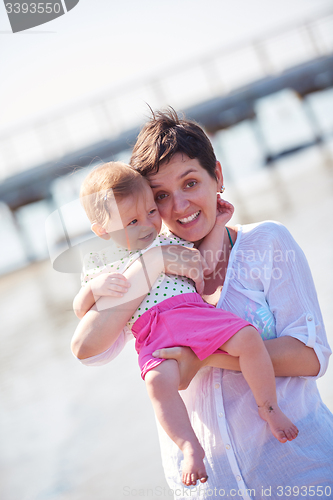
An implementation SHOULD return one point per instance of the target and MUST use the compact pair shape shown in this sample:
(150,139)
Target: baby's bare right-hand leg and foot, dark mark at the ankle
(258,371)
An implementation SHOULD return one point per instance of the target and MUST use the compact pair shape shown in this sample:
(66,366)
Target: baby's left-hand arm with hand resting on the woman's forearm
(105,284)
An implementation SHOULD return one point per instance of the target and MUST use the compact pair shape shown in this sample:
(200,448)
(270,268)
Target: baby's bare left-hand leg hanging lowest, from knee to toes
(162,385)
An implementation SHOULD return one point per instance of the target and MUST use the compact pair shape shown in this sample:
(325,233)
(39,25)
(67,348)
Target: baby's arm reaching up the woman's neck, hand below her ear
(212,246)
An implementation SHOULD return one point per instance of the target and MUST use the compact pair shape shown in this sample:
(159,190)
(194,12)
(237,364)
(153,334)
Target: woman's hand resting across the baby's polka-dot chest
(185,261)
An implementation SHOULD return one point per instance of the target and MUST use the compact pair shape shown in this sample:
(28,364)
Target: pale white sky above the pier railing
(100,44)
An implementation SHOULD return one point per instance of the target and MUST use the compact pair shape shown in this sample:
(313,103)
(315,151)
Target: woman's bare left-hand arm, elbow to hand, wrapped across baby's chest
(101,326)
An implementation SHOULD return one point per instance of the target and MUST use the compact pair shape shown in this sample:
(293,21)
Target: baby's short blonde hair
(105,182)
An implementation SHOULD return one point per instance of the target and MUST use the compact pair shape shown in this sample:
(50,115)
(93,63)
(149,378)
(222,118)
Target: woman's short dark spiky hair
(166,135)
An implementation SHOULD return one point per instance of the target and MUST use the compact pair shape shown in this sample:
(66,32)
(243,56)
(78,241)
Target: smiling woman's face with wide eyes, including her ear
(185,195)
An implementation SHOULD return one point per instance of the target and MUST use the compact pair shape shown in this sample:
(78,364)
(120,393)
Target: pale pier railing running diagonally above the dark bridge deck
(215,74)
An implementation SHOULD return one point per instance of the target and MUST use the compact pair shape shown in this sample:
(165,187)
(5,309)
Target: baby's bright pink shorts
(183,320)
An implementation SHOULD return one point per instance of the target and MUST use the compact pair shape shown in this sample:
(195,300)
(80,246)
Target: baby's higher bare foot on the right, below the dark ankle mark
(282,428)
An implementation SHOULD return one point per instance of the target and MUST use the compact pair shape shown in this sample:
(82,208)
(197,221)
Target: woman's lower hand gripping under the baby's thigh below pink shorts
(189,364)
